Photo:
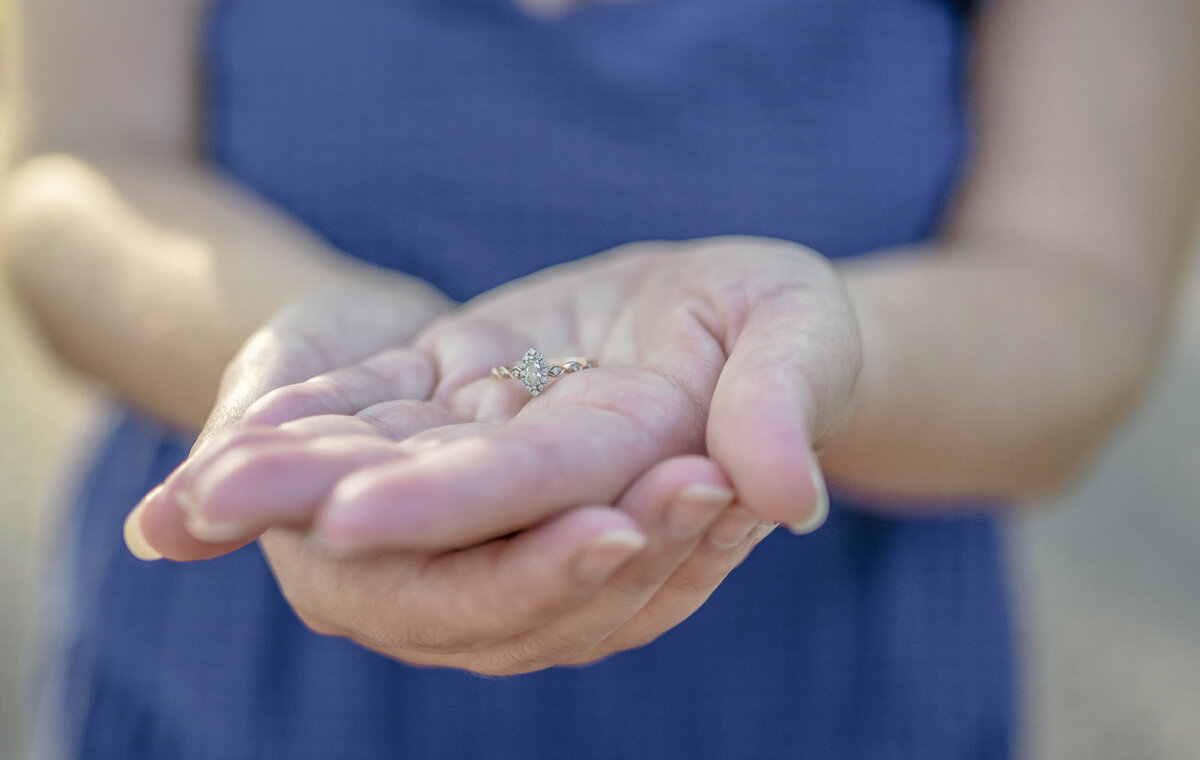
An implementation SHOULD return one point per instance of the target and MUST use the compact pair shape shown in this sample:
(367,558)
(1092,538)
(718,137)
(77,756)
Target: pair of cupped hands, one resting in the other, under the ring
(746,348)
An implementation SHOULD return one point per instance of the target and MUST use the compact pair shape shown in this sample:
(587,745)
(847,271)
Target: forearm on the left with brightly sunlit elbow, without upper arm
(149,274)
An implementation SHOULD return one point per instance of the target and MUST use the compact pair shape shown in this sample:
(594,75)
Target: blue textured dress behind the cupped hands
(469,145)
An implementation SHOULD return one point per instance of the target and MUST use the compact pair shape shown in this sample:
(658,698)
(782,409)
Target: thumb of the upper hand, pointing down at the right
(787,385)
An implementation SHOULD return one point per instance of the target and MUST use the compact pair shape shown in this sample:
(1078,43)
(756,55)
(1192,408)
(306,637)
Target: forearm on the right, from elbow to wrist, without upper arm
(988,376)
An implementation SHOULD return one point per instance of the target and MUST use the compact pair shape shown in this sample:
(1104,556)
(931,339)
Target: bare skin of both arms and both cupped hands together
(987,363)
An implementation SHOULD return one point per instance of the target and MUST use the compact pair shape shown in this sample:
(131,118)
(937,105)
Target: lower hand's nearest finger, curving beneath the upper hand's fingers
(465,601)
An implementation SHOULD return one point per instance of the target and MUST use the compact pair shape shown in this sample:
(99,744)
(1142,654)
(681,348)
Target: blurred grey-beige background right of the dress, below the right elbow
(1109,581)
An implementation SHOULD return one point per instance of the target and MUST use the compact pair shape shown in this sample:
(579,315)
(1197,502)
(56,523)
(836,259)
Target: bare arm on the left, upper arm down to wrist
(143,267)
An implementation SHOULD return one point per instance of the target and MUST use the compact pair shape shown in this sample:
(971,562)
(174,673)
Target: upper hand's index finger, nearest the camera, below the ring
(583,448)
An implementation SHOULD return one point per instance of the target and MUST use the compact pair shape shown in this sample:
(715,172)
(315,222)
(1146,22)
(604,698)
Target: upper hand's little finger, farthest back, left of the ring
(391,375)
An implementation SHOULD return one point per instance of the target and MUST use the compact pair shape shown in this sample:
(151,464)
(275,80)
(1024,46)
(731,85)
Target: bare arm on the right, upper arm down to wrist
(997,358)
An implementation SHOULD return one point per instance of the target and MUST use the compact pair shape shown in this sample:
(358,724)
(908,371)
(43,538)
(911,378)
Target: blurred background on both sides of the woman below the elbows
(1107,578)
